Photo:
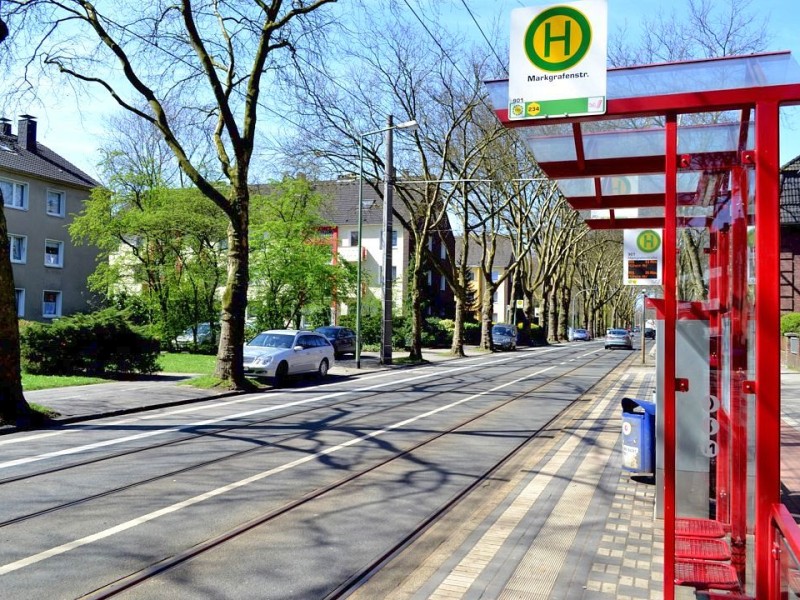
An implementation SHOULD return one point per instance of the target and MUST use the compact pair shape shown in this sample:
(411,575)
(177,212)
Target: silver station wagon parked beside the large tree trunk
(279,353)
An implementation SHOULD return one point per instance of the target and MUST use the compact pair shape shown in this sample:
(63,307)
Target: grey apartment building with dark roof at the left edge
(41,191)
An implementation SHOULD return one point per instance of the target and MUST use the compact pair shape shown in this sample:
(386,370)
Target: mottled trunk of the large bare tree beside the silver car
(229,365)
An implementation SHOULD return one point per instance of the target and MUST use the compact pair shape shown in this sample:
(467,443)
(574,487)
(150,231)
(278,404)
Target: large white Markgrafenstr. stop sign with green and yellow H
(557,65)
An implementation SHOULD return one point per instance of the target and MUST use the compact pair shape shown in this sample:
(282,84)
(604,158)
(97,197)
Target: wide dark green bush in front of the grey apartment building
(94,344)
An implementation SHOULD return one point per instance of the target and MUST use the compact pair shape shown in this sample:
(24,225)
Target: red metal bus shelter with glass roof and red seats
(693,147)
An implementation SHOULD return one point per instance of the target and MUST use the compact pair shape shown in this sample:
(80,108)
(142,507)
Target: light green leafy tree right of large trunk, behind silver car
(291,268)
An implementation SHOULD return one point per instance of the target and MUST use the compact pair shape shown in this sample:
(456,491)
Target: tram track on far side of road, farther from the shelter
(266,446)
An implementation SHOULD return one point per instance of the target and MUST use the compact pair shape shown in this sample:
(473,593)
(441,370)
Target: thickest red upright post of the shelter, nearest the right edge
(767,314)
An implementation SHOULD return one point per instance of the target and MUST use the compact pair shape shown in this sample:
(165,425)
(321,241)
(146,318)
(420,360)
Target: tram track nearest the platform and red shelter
(172,562)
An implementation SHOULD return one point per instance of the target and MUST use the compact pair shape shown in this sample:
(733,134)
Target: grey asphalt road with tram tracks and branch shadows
(89,505)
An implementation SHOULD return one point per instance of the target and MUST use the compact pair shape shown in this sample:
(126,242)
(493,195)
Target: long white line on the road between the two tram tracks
(106,533)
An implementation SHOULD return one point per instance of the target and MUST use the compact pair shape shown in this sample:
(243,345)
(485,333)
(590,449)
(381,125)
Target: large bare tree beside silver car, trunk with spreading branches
(209,60)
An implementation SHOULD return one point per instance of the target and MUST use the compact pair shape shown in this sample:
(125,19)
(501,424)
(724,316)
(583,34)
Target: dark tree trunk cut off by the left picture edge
(13,408)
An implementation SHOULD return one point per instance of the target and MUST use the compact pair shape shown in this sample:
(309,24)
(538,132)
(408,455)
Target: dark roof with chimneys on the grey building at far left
(42,164)
